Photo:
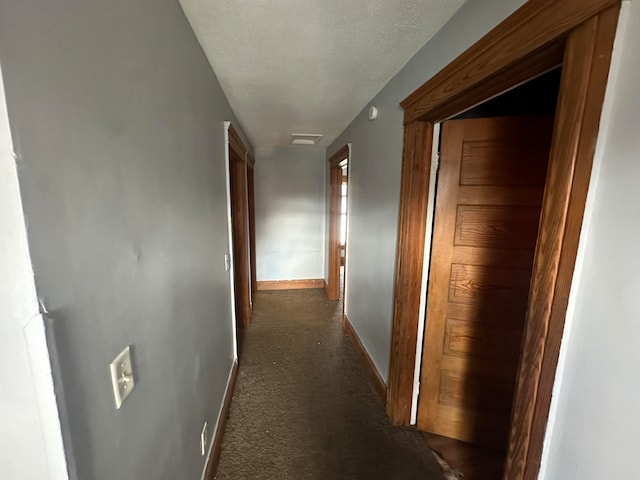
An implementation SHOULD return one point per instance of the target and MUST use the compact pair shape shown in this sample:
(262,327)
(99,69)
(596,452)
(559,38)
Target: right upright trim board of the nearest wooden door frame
(588,56)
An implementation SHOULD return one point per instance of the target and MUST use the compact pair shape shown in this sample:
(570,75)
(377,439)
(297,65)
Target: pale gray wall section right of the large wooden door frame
(594,421)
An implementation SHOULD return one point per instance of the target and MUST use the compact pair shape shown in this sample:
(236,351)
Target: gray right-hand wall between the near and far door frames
(374,176)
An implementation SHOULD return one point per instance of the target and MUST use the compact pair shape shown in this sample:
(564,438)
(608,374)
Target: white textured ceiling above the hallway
(309,66)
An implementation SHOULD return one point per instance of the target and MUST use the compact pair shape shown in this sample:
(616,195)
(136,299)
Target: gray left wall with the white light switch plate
(116,118)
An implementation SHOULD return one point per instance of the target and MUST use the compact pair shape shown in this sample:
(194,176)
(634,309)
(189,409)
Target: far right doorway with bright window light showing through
(337,248)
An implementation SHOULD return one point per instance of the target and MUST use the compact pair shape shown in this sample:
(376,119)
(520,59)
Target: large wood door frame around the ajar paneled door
(539,36)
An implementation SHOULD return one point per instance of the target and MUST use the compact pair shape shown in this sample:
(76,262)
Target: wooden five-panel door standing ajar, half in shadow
(489,194)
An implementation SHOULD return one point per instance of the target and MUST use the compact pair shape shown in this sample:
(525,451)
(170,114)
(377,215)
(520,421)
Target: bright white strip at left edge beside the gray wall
(33,448)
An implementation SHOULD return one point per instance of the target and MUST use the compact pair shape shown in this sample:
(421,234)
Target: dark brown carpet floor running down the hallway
(303,405)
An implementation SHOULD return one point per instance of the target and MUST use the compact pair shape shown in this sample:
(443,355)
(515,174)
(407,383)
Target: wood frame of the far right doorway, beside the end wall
(335,184)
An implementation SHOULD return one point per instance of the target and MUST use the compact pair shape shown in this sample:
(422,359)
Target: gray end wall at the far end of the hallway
(290,213)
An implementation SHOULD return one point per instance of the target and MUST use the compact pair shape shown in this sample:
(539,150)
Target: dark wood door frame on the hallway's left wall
(240,229)
